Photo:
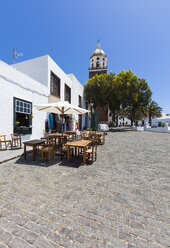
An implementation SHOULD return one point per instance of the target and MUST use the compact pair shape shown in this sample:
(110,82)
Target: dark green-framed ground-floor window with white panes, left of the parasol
(22,116)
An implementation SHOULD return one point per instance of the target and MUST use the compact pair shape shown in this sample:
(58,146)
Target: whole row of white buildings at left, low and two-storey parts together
(32,82)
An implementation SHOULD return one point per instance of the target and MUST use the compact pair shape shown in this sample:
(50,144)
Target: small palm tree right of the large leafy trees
(154,110)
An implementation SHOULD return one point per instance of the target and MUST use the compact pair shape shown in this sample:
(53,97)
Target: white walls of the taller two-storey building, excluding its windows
(40,69)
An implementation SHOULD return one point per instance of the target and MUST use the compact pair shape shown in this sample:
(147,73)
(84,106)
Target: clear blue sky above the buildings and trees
(135,34)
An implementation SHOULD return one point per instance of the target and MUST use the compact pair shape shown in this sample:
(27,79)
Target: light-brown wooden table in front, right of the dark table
(80,144)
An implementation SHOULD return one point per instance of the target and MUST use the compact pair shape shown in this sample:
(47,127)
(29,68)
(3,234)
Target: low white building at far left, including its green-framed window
(18,94)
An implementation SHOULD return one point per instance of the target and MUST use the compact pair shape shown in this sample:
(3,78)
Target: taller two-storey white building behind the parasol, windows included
(60,86)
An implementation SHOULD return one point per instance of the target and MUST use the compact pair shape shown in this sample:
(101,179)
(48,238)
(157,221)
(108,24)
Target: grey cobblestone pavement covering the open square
(119,201)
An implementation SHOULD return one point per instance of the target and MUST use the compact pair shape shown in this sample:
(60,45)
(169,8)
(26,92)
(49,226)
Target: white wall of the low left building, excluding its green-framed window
(15,84)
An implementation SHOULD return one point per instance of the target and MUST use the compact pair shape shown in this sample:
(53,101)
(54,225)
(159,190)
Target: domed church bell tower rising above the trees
(98,62)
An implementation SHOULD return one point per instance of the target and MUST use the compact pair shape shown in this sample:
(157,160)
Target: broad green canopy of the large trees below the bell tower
(124,94)
